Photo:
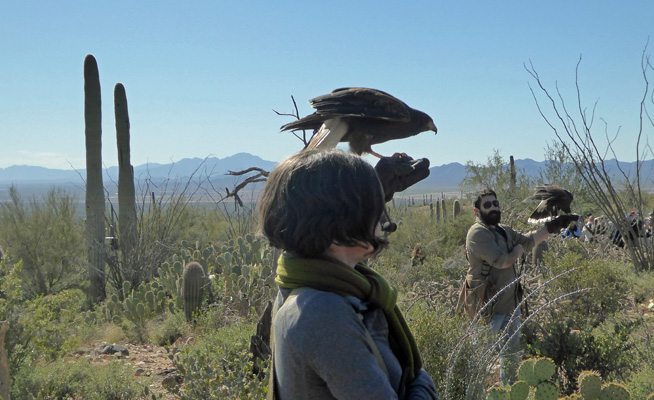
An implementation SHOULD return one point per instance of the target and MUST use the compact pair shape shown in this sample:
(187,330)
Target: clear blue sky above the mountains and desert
(203,77)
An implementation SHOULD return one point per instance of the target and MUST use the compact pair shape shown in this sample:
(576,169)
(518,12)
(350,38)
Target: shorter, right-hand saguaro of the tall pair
(126,192)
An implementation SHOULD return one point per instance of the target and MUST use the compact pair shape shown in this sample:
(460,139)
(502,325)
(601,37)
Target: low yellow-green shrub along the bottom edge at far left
(79,380)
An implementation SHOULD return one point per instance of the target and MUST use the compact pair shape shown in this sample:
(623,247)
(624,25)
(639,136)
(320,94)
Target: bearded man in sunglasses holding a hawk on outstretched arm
(492,250)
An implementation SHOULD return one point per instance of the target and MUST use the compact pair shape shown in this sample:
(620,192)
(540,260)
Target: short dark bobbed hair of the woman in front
(316,198)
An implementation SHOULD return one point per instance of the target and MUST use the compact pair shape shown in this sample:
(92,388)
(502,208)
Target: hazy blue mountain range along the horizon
(443,178)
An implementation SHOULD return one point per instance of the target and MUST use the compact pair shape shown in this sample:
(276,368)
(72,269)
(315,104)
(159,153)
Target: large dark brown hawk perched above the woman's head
(363,117)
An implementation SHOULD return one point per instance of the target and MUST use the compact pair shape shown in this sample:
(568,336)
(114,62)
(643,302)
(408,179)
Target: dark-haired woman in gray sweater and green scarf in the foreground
(337,333)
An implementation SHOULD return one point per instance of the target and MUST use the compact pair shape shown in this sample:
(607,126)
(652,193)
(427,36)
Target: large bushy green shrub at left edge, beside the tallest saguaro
(46,236)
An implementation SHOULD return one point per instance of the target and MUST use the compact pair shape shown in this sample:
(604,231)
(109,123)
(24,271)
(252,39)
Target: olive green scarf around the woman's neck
(362,283)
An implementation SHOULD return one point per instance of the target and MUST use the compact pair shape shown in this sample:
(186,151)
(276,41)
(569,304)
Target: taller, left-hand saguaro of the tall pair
(95,201)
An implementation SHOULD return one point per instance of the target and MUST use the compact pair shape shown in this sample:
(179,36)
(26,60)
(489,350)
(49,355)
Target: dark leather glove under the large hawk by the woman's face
(399,172)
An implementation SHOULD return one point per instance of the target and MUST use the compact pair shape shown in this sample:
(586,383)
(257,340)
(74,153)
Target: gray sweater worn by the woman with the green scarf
(322,350)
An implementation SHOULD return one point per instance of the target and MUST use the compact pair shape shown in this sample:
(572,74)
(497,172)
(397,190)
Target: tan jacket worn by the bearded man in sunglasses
(487,250)
